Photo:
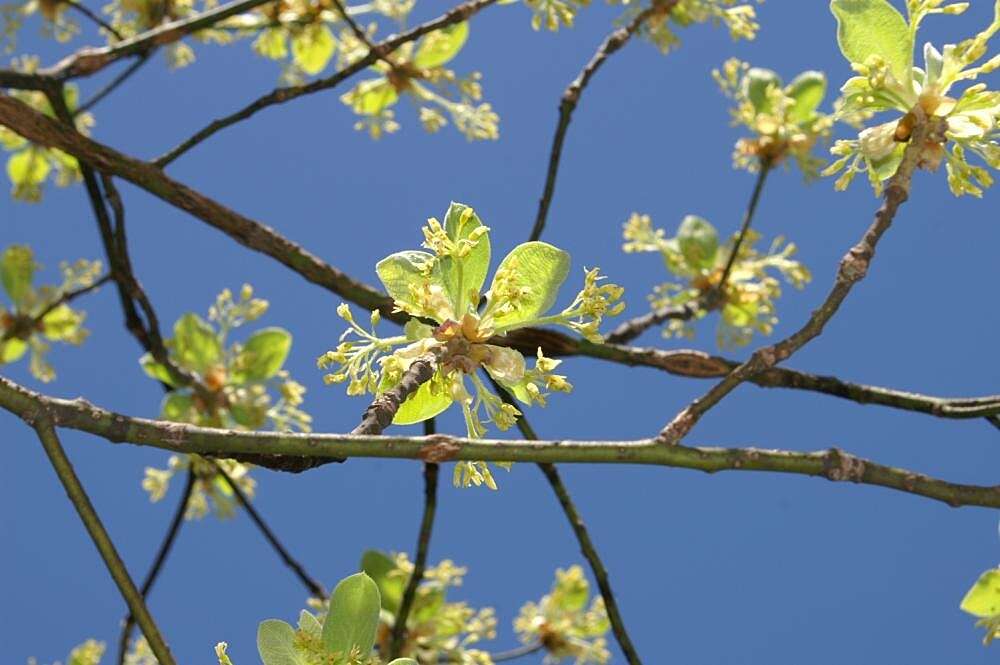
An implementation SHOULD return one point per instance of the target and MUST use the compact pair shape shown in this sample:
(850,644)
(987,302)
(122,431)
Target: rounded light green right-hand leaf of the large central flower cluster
(539,269)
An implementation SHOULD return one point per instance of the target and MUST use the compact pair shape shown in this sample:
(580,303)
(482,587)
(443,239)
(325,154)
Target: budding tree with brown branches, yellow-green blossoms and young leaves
(478,337)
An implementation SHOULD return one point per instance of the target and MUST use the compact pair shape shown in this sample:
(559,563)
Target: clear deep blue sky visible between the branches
(725,569)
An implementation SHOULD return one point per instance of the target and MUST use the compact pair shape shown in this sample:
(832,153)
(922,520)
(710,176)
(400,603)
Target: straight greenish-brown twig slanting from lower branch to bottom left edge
(92,522)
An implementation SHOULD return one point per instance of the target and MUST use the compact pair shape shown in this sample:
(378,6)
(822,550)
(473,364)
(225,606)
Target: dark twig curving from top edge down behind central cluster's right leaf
(571,97)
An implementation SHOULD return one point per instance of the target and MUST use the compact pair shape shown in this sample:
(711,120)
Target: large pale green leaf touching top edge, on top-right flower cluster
(874,27)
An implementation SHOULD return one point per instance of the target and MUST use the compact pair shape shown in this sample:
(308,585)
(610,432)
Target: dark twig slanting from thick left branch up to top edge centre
(288,93)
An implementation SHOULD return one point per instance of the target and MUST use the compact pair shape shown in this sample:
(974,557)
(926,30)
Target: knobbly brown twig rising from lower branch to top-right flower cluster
(853,268)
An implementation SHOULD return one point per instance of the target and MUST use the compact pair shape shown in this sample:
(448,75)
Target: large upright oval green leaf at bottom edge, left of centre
(353,618)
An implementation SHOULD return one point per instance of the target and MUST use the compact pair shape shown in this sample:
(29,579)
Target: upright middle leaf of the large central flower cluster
(466,275)
